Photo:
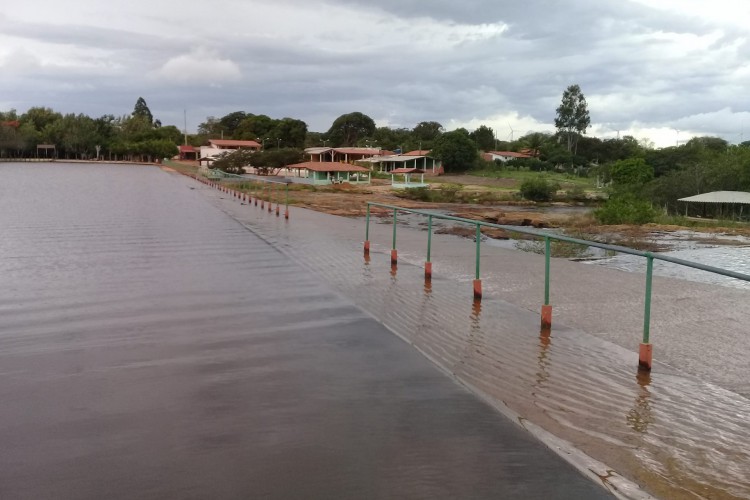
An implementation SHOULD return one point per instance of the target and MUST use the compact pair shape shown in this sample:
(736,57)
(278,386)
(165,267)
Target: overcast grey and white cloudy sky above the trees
(659,69)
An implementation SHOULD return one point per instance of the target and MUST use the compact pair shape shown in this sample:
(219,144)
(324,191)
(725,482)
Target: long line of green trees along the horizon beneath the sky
(701,164)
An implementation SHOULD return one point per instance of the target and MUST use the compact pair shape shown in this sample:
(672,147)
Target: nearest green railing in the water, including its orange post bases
(645,352)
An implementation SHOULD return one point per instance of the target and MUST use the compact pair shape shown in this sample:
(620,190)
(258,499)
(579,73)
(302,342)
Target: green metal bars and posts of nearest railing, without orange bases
(548,237)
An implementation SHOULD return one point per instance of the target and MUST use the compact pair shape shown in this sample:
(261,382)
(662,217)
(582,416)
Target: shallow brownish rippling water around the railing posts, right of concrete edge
(682,431)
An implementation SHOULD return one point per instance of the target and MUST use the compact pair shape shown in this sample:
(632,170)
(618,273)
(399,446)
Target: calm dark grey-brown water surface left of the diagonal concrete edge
(152,347)
